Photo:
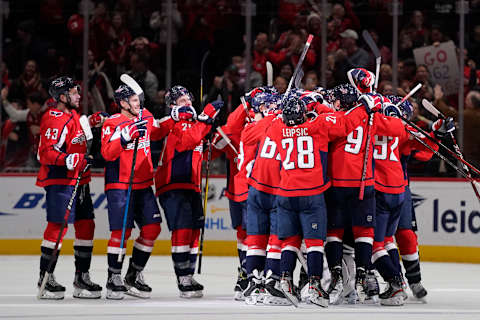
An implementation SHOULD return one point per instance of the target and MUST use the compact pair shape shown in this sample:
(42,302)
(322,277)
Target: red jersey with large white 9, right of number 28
(346,154)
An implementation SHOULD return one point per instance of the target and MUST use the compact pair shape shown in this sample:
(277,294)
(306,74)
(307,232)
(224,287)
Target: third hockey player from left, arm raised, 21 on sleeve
(177,183)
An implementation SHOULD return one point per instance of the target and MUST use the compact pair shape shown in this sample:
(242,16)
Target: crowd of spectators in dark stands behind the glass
(43,39)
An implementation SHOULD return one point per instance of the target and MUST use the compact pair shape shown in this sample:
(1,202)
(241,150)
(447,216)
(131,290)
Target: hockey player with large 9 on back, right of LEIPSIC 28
(346,157)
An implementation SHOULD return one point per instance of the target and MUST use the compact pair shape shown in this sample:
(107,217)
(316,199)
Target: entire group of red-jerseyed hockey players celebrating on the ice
(304,181)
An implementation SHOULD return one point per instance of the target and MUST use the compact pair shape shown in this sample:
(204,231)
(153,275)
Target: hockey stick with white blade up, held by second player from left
(125,78)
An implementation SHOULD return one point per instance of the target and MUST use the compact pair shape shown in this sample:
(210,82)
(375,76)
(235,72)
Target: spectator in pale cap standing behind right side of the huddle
(349,56)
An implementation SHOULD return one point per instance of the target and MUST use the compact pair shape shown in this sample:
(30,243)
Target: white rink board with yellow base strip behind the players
(447,211)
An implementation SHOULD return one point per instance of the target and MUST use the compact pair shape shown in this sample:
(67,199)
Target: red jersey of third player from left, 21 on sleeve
(180,164)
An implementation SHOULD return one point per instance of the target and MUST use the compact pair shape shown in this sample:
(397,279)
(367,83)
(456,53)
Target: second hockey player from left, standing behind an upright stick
(118,140)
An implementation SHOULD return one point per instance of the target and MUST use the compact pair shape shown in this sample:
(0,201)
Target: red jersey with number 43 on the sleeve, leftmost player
(60,135)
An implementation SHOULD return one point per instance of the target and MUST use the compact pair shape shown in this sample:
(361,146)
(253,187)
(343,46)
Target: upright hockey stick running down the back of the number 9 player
(378,58)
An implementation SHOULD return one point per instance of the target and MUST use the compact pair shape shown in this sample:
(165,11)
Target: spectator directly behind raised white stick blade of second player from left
(145,78)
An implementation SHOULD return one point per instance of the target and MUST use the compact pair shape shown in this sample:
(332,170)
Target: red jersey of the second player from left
(119,159)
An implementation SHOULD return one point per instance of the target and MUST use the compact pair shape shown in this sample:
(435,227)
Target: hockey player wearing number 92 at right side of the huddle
(390,195)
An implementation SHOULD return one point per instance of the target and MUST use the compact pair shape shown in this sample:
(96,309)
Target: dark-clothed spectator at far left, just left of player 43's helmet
(29,81)
